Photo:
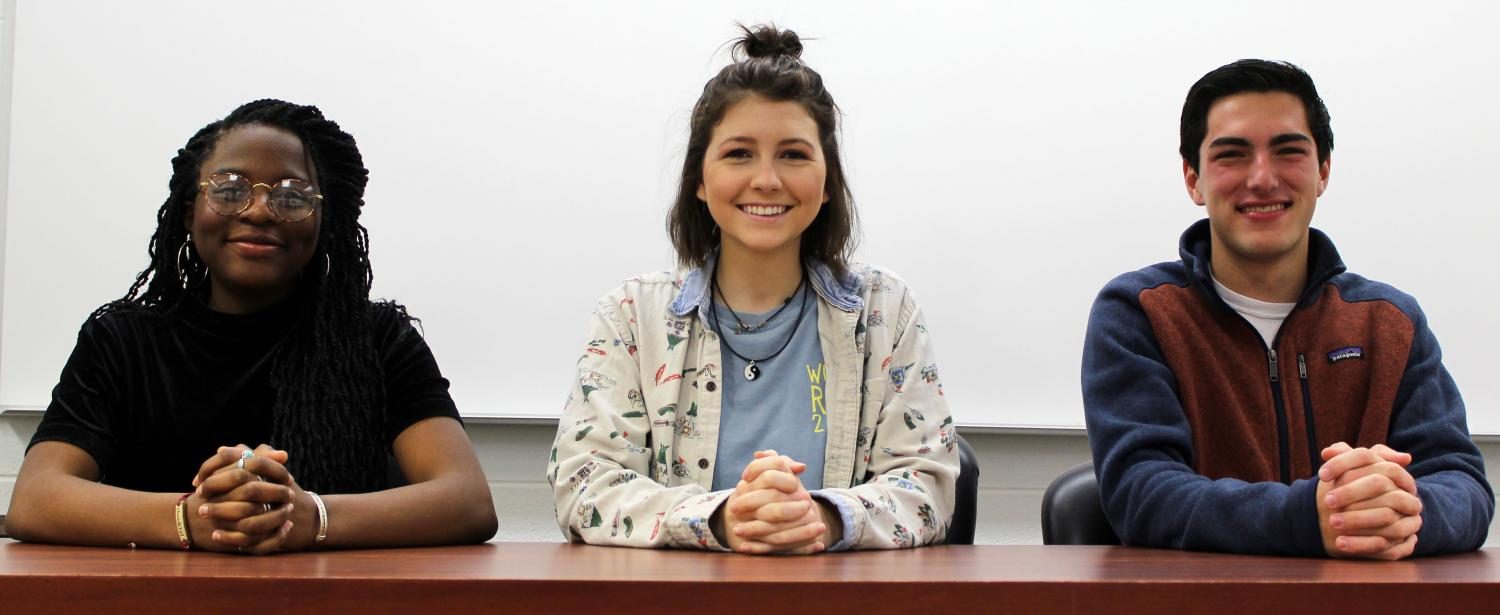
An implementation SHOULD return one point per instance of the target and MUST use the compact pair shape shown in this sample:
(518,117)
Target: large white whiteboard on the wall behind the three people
(1007,160)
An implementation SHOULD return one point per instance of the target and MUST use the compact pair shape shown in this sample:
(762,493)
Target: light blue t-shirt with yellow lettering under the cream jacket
(784,407)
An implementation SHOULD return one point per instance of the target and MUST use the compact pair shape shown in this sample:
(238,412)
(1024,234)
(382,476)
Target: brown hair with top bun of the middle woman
(767,64)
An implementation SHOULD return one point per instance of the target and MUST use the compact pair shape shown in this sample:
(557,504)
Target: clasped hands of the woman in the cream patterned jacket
(770,512)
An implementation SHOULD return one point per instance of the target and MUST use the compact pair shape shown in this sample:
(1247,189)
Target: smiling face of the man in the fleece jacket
(1259,178)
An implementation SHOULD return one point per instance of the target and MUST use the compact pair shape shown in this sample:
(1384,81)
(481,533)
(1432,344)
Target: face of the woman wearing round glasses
(254,259)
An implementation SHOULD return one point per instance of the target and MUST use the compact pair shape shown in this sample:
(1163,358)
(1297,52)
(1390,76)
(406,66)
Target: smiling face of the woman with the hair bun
(764,176)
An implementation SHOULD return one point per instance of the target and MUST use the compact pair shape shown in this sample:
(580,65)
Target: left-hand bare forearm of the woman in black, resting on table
(71,511)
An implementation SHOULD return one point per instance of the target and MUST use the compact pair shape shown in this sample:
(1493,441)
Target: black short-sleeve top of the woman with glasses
(152,398)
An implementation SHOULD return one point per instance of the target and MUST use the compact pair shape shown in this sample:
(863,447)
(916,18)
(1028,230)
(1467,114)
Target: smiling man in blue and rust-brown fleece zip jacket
(1255,397)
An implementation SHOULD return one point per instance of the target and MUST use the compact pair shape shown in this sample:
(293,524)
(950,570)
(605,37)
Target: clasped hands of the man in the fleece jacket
(1367,503)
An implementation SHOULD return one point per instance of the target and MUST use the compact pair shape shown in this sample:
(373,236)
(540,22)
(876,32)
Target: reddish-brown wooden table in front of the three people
(575,578)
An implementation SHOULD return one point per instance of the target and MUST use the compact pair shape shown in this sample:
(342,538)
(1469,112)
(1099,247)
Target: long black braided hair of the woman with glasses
(331,409)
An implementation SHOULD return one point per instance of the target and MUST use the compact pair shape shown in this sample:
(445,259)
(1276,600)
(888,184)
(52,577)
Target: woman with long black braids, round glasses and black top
(253,325)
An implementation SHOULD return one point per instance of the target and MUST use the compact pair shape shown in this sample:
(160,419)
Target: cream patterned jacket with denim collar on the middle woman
(635,451)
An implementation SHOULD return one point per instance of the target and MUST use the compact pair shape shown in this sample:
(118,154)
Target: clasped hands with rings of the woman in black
(251,509)
